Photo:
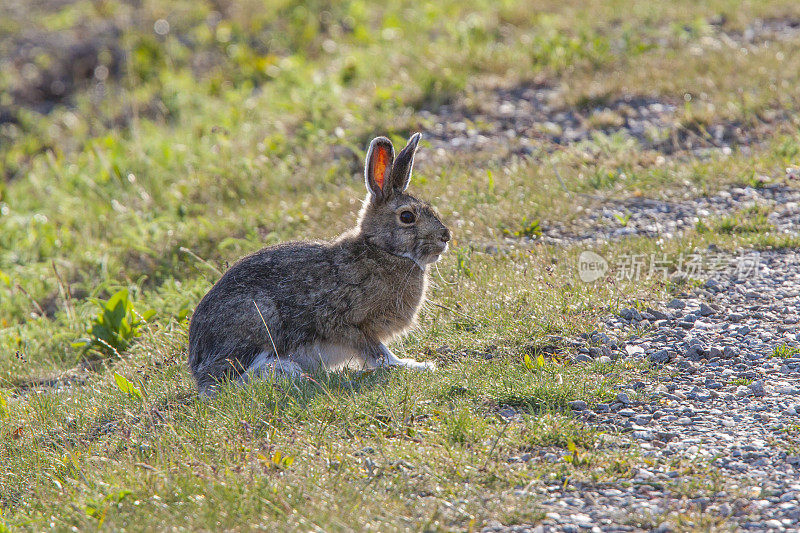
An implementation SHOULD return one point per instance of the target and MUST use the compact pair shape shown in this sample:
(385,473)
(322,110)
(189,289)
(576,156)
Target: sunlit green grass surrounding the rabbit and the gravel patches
(245,126)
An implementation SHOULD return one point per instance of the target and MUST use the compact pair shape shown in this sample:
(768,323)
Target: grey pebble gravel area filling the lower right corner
(729,402)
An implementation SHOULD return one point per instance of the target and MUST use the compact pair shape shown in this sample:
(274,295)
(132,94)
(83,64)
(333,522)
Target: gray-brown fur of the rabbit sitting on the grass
(325,304)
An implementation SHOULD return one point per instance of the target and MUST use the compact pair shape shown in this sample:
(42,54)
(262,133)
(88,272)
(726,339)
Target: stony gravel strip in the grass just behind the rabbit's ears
(516,120)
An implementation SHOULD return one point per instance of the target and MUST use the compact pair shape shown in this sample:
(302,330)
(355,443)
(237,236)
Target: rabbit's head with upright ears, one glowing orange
(393,220)
